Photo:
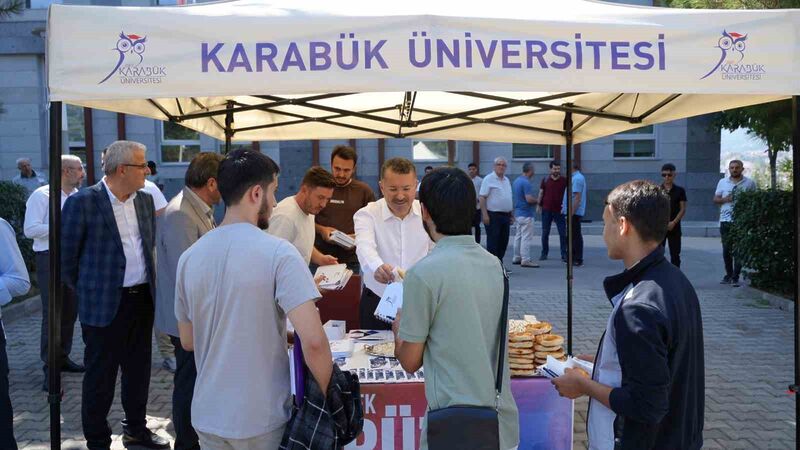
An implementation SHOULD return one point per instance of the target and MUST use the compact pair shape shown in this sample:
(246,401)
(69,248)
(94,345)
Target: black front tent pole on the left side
(54,303)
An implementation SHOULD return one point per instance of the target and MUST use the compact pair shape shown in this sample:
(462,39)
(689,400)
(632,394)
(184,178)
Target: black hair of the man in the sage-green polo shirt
(449,196)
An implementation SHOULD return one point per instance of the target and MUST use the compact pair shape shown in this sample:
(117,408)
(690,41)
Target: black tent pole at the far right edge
(796,194)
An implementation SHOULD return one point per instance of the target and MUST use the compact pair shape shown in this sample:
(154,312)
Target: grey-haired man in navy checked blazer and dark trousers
(107,257)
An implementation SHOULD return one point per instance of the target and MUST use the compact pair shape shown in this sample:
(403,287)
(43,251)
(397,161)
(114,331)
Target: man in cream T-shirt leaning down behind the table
(293,218)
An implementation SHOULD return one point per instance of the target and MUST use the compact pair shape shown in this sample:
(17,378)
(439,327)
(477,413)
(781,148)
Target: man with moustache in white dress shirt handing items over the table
(389,235)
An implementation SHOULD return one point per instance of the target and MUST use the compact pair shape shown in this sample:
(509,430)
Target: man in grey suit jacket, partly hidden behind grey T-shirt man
(186,218)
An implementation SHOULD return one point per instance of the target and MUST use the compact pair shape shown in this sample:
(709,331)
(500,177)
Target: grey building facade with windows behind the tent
(690,144)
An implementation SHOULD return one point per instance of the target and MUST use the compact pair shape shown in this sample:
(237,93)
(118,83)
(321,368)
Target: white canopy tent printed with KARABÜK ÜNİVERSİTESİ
(550,72)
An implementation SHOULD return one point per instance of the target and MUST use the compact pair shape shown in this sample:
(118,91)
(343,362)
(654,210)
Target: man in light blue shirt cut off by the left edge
(14,281)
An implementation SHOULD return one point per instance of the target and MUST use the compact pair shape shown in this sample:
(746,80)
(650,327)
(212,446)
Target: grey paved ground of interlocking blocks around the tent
(748,356)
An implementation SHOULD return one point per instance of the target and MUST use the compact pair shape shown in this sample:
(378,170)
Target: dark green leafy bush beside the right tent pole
(763,232)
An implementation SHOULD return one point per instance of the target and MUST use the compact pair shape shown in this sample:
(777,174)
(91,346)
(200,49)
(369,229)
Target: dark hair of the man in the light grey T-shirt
(242,169)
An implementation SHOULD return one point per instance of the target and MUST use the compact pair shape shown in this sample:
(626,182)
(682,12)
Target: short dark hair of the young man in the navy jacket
(645,205)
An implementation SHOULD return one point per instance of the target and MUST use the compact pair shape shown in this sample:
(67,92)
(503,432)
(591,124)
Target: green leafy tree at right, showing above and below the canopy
(771,122)
